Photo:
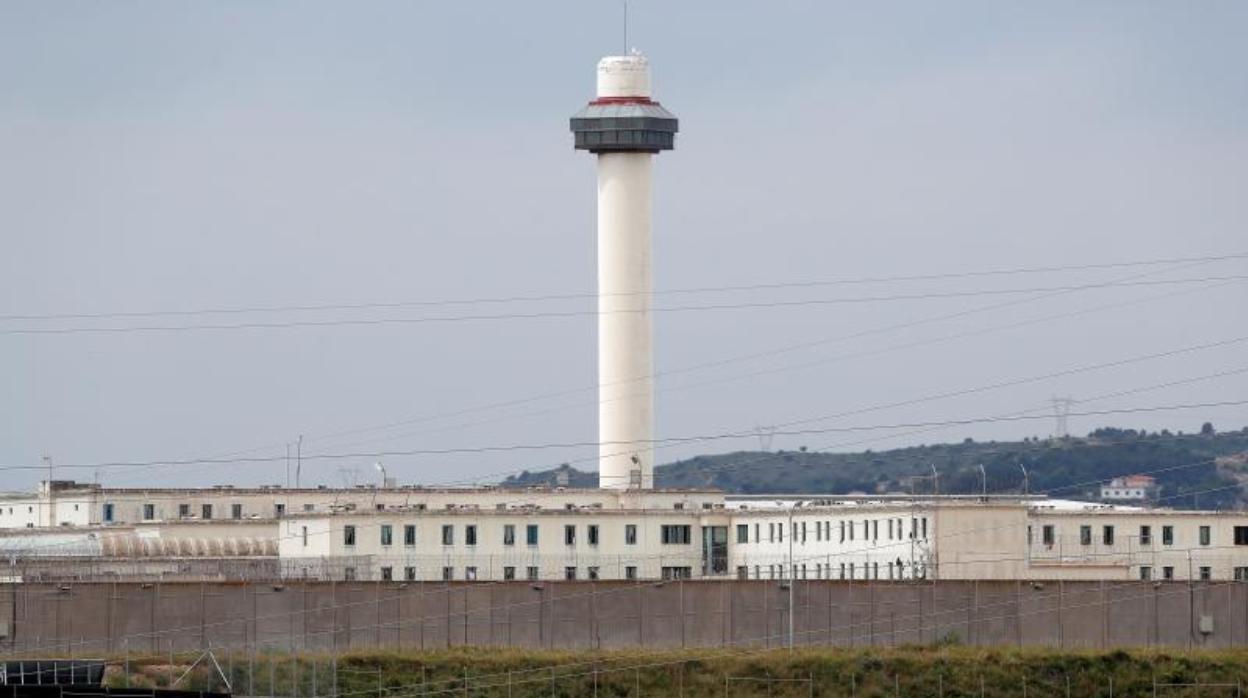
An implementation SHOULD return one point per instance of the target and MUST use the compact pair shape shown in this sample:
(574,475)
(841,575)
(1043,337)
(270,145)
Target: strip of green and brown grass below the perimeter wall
(950,671)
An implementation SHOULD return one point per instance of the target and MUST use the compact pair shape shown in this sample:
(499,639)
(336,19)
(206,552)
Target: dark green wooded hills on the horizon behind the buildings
(1207,469)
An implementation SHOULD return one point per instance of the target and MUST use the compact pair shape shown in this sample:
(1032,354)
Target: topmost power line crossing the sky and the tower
(384,305)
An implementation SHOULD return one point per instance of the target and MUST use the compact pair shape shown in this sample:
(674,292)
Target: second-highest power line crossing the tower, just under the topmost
(545,315)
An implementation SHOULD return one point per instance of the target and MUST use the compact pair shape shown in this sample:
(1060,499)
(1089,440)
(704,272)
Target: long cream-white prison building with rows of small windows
(414,534)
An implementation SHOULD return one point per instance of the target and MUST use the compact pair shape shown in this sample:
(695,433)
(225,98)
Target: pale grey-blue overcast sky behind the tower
(164,157)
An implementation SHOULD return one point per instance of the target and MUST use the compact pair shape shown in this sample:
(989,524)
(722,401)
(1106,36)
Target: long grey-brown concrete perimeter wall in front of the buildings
(112,619)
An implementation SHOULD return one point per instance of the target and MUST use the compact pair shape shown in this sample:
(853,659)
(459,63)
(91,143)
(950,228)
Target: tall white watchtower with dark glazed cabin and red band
(625,128)
